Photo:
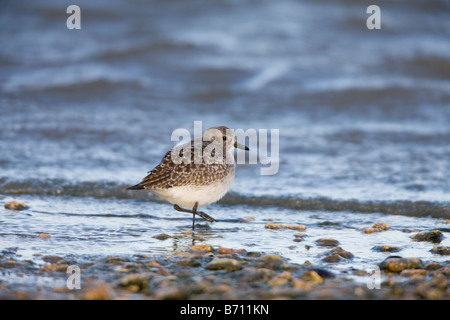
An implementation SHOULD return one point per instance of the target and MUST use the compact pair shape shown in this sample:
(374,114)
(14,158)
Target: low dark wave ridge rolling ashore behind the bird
(57,187)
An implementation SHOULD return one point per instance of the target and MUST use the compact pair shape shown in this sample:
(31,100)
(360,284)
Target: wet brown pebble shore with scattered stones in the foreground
(205,272)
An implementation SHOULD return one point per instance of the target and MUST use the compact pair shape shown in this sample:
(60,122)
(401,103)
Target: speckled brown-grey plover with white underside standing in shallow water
(195,174)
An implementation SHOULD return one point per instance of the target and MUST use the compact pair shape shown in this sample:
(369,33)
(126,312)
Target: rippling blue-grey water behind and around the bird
(363,119)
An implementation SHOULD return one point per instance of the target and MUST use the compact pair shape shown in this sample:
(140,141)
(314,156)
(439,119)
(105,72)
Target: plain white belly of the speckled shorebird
(187,196)
